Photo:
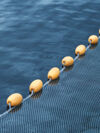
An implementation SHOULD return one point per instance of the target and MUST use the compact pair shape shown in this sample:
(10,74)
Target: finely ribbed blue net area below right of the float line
(70,104)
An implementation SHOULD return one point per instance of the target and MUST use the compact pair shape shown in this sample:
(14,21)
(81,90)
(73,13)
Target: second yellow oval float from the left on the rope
(36,86)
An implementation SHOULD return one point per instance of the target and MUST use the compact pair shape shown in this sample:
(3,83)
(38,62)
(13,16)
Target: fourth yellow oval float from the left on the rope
(67,61)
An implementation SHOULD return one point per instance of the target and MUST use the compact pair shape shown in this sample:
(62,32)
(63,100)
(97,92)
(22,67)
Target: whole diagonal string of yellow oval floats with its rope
(16,99)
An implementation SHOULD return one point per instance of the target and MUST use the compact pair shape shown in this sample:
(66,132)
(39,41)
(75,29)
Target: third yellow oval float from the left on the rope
(53,73)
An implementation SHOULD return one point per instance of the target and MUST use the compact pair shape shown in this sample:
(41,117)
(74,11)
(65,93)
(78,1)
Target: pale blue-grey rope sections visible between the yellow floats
(45,84)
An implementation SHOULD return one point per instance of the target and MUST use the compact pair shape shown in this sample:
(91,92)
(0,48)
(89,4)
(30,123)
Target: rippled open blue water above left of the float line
(36,35)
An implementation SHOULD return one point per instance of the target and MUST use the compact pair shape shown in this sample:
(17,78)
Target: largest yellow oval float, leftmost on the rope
(15,99)
